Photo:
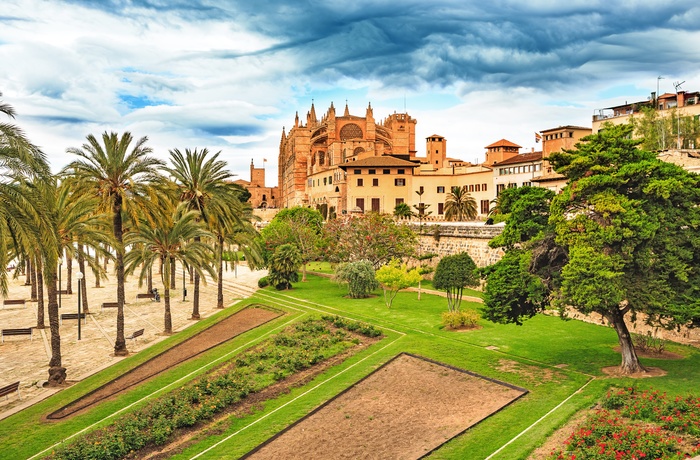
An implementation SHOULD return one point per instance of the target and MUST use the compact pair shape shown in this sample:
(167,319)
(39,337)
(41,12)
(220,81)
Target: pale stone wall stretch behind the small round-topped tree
(448,238)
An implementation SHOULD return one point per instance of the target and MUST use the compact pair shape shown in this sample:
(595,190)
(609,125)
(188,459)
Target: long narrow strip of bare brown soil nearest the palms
(219,333)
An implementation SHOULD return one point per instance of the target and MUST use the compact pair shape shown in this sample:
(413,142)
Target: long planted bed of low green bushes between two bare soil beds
(298,347)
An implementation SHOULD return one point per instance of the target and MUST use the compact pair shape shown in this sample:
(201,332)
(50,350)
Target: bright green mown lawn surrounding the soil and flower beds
(521,355)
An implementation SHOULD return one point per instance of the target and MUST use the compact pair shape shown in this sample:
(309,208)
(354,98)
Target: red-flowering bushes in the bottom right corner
(633,425)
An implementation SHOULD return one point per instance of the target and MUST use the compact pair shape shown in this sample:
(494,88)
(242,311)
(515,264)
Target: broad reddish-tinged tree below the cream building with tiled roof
(373,237)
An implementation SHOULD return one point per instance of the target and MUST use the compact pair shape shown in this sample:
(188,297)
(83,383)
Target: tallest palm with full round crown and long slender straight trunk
(124,177)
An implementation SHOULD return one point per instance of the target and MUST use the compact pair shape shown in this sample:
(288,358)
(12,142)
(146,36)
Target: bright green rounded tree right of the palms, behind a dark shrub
(299,226)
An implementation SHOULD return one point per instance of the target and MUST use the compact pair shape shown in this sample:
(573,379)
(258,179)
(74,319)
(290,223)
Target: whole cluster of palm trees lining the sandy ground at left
(116,201)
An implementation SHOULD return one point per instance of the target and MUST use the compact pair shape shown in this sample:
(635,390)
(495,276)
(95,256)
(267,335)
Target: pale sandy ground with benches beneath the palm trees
(26,361)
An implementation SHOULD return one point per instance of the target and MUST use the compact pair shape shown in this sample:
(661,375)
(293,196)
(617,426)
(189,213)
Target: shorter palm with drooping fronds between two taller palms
(175,237)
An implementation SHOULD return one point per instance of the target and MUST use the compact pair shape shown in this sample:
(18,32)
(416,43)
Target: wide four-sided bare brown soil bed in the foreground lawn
(405,409)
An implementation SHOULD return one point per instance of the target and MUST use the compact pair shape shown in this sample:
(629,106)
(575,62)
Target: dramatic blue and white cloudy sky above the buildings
(228,75)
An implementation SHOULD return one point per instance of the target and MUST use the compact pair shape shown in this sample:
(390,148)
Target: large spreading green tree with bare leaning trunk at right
(621,240)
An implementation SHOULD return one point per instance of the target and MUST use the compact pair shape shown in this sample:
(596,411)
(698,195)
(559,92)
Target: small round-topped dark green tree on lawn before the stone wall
(452,275)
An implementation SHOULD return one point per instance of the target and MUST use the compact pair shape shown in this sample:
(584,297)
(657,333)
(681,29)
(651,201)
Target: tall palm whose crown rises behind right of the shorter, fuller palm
(204,186)
